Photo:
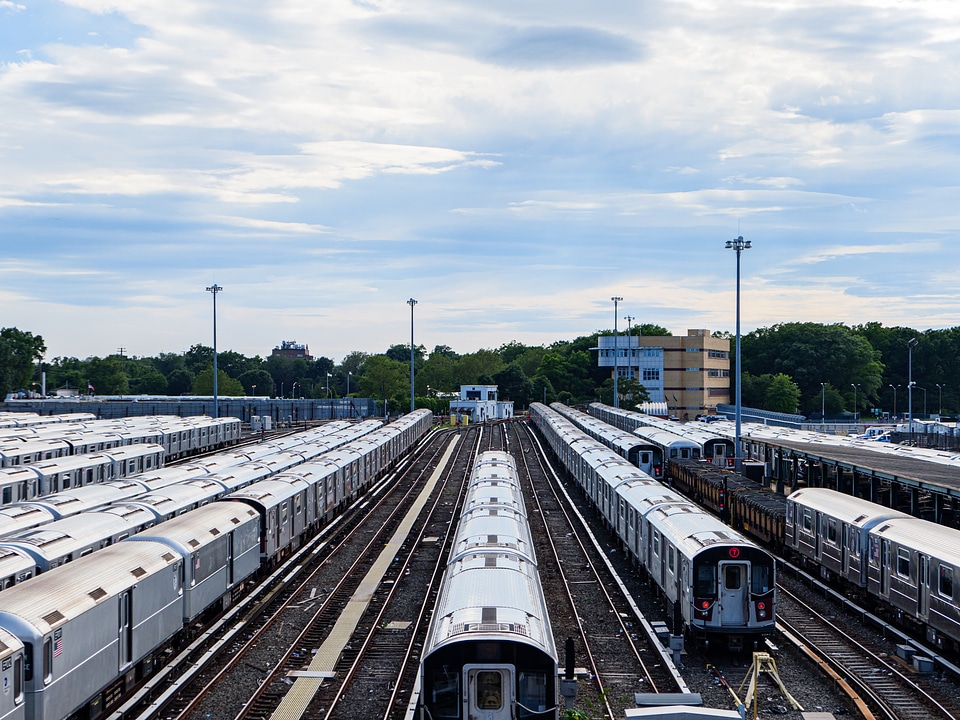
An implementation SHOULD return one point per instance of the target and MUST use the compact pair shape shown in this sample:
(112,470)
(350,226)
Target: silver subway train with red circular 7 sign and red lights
(720,585)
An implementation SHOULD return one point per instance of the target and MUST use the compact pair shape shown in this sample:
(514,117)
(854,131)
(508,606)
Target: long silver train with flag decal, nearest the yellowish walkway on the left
(83,634)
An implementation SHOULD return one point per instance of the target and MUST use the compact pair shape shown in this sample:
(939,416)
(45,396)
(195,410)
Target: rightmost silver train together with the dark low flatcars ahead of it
(899,566)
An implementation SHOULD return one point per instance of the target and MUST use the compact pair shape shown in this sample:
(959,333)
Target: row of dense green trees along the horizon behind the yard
(788,367)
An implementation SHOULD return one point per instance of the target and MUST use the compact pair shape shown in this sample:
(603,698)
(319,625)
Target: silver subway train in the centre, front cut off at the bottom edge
(489,651)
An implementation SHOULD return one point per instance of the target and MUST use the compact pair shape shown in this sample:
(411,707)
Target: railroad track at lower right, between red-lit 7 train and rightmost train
(878,685)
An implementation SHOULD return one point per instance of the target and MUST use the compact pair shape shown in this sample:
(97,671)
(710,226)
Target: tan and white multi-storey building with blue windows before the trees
(690,373)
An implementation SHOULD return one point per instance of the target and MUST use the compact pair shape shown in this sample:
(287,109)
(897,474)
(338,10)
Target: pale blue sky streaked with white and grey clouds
(510,165)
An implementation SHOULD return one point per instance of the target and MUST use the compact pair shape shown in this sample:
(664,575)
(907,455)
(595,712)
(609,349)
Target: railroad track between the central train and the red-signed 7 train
(613,643)
